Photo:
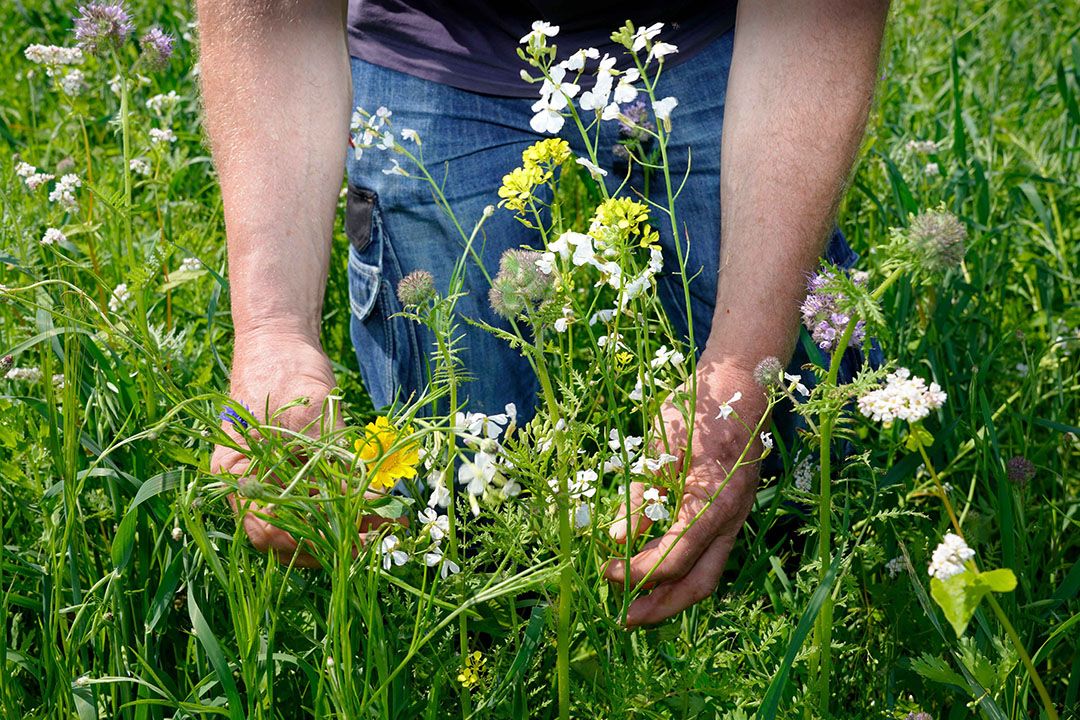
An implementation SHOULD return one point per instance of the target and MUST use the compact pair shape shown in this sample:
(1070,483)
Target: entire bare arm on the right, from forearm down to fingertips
(800,90)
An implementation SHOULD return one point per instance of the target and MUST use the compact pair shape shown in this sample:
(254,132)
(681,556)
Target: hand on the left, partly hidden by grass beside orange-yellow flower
(272,370)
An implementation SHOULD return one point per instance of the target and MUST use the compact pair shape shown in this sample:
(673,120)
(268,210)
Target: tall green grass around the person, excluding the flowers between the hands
(105,612)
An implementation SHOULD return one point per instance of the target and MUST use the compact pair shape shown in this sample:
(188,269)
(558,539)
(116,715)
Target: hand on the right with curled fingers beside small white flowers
(692,570)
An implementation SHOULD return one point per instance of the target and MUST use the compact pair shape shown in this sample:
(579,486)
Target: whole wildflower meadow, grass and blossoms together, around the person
(128,589)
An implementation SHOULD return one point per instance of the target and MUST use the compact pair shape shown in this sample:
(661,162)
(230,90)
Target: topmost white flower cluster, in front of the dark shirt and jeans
(612,87)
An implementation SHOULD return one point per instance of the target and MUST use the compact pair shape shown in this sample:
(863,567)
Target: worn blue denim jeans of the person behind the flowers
(395,226)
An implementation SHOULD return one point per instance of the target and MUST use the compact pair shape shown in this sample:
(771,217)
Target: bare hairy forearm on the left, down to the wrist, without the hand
(277,93)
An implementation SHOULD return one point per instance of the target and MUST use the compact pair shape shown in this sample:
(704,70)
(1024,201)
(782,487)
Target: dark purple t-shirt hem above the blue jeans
(472,44)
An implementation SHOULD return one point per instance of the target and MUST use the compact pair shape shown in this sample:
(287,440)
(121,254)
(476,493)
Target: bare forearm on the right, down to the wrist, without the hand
(800,90)
